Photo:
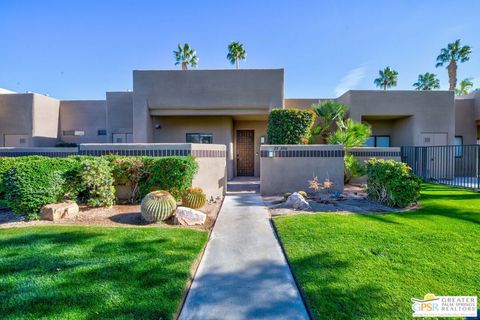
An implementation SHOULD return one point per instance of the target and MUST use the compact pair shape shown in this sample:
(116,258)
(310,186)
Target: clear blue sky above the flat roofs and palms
(80,49)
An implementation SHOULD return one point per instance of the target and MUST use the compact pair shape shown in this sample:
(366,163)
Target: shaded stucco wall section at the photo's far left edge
(16,116)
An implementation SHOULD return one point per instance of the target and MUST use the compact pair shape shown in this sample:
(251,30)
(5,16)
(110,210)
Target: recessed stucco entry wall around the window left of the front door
(174,130)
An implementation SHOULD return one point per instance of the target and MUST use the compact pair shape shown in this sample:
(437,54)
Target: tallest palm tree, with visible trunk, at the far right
(452,54)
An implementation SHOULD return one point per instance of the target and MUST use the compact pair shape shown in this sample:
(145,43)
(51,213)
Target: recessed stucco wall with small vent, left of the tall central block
(83,115)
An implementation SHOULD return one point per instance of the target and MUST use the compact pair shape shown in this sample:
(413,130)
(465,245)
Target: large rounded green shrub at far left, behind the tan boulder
(29,185)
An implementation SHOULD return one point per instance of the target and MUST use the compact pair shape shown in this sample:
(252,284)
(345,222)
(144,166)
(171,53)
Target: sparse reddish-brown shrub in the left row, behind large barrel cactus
(128,171)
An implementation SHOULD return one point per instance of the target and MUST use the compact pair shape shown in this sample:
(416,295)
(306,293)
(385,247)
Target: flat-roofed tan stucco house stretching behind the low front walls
(228,107)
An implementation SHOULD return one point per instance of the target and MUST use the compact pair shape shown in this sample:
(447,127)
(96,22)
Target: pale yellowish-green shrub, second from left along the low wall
(96,182)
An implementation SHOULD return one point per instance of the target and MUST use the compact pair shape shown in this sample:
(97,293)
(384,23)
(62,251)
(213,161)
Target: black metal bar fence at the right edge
(451,165)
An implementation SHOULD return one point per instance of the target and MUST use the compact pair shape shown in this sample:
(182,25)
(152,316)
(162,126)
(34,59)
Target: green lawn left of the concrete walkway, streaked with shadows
(95,273)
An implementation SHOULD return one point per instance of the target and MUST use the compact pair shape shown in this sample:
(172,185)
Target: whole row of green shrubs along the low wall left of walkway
(28,183)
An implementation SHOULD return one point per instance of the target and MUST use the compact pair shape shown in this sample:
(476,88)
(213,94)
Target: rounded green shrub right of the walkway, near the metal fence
(392,183)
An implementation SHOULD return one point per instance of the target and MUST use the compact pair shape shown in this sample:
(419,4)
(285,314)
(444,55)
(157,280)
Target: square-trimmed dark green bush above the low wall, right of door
(290,126)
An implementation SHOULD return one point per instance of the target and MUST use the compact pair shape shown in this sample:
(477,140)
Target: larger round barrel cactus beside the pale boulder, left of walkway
(158,206)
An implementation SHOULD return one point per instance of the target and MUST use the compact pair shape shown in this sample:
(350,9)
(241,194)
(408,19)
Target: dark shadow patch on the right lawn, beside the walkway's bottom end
(329,296)
